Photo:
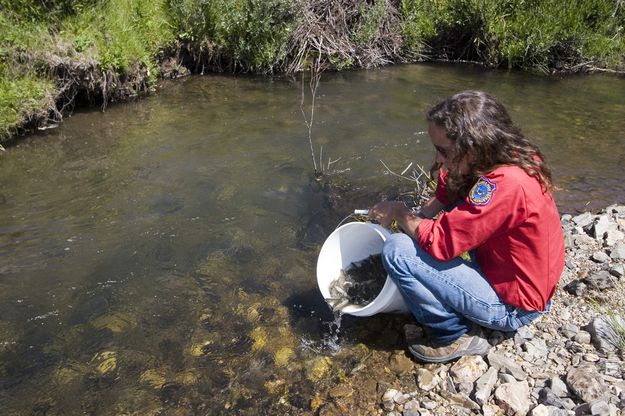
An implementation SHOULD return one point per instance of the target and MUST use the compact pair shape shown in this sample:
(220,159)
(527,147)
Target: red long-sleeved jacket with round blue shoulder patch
(515,228)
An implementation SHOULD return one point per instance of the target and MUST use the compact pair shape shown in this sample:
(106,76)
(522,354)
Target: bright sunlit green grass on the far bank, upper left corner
(119,35)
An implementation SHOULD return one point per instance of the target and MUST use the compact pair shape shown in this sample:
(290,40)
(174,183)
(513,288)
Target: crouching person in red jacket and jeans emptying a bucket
(487,250)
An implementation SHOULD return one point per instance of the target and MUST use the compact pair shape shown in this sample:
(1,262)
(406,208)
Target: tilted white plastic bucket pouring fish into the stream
(352,242)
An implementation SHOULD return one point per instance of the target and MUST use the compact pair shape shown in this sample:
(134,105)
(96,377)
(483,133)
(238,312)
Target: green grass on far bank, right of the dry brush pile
(527,34)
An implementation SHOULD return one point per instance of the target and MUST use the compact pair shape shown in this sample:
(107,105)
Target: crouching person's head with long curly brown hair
(479,126)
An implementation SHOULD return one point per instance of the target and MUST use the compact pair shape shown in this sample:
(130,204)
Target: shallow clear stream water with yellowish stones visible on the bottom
(161,255)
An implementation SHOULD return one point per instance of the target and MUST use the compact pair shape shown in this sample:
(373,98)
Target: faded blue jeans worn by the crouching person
(447,297)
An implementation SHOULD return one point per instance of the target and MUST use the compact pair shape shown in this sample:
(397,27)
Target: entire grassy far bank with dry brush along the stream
(57,54)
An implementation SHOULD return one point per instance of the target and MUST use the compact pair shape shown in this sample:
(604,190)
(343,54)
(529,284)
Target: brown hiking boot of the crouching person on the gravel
(471,343)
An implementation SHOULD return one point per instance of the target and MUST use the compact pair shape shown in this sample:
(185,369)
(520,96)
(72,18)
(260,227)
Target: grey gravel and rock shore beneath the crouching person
(569,362)
